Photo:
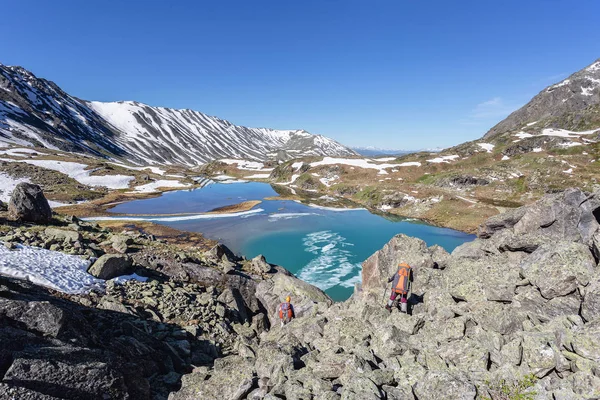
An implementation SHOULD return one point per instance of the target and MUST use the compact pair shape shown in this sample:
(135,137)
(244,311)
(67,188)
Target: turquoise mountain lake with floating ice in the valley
(322,246)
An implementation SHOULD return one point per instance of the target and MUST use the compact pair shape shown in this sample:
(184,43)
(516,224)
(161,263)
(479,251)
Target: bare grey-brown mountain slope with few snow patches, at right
(573,104)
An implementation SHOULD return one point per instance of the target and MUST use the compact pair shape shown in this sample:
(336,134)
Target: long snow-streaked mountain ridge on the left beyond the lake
(36,112)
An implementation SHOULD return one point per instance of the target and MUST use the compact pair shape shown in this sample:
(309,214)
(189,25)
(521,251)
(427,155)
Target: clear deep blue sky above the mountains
(402,74)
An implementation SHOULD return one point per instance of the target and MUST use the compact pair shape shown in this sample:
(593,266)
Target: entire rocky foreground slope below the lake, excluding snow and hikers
(514,314)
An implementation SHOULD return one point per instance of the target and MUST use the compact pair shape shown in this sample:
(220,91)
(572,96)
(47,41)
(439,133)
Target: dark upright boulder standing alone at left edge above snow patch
(29,204)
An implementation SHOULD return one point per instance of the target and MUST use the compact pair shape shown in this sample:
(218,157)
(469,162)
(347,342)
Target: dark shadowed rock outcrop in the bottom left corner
(55,348)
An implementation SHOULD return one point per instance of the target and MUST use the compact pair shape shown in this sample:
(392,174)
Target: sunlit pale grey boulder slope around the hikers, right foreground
(513,312)
